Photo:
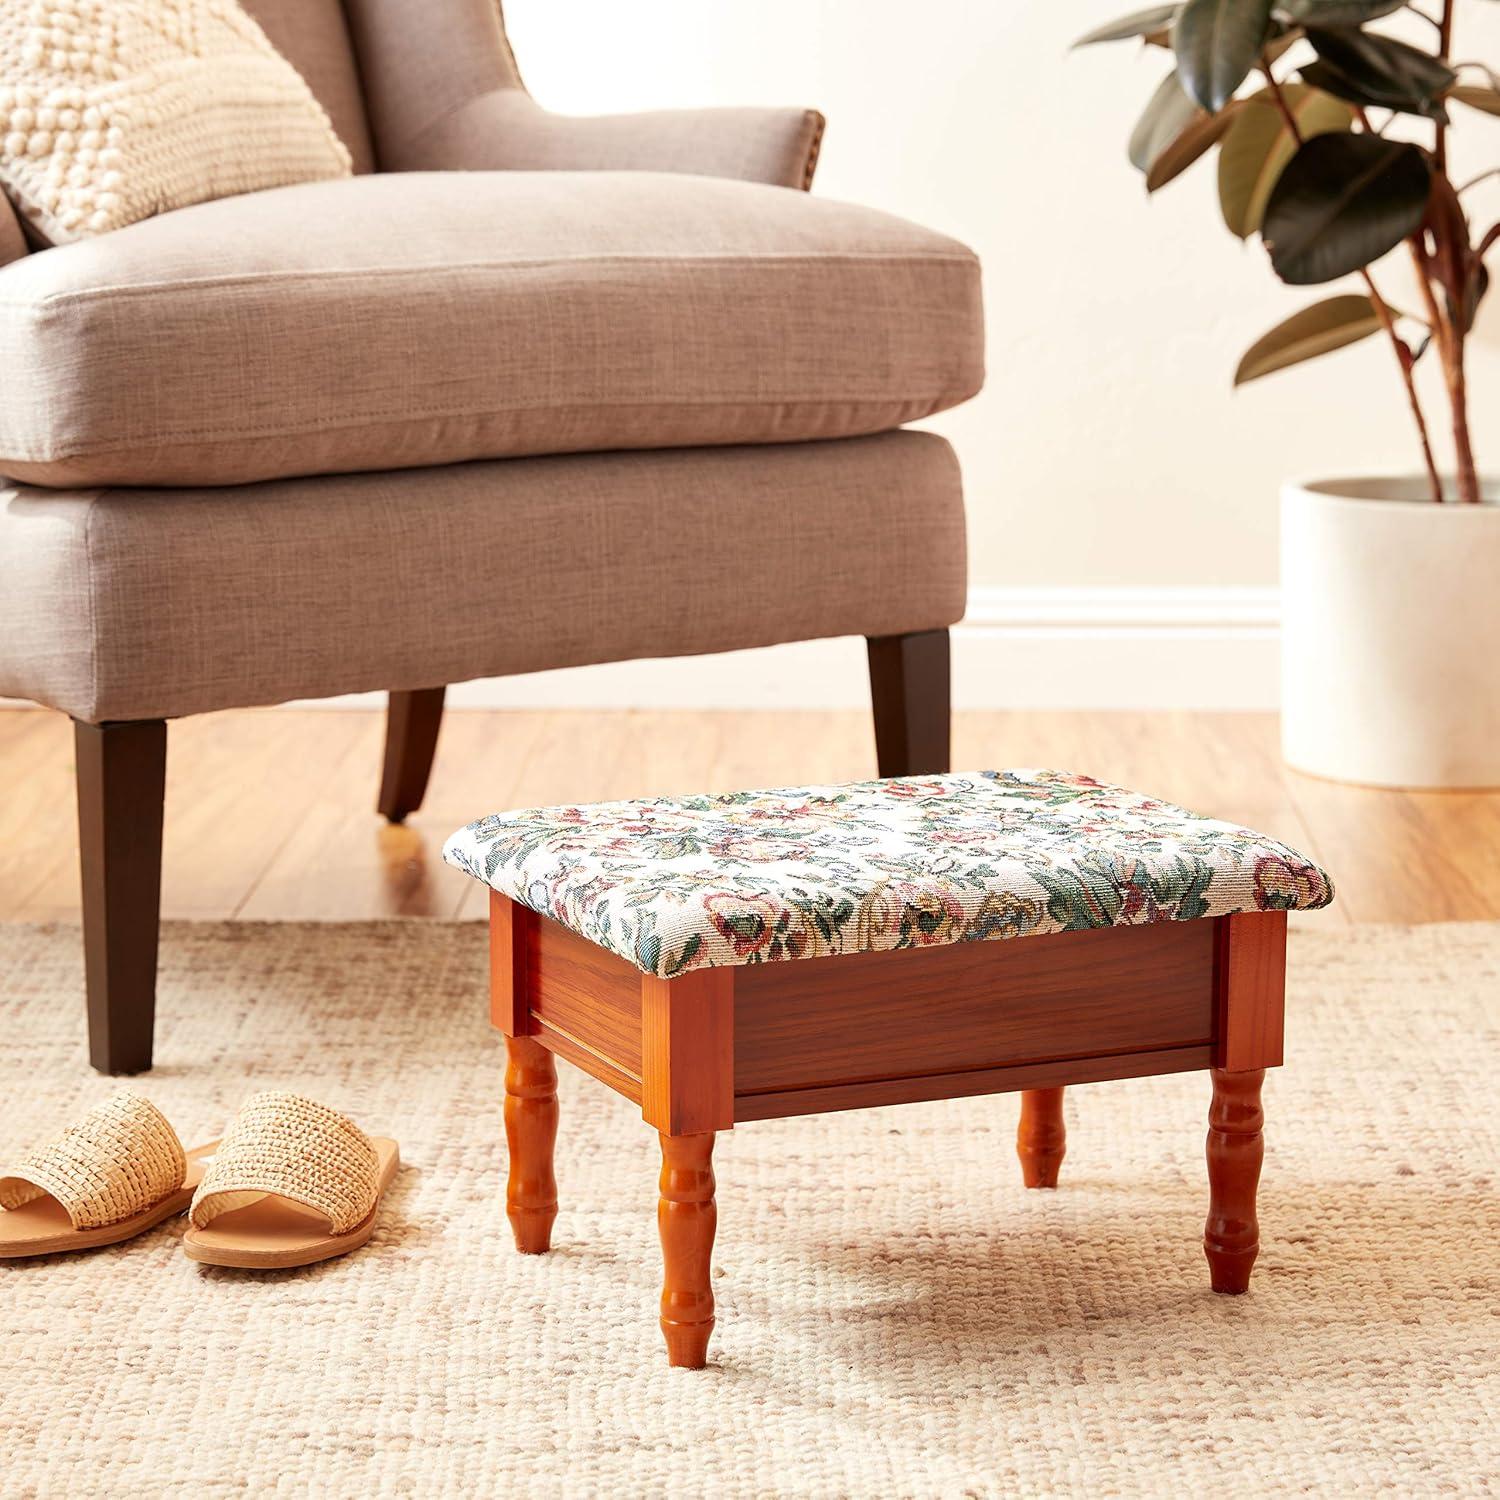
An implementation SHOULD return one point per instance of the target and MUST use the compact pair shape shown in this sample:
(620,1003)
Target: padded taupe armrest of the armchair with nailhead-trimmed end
(508,130)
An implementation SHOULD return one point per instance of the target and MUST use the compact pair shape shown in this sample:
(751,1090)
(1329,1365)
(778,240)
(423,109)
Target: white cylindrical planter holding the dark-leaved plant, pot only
(1391,635)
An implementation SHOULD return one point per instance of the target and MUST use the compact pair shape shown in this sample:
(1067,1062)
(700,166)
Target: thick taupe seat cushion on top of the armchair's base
(425,319)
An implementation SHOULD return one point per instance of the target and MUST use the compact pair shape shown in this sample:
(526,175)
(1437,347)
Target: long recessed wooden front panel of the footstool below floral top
(862,1018)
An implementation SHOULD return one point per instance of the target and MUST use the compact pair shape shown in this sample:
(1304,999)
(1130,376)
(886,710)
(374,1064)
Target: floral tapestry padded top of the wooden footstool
(689,883)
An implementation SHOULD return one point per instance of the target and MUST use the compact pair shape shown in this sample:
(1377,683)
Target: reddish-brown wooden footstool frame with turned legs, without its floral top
(716,1048)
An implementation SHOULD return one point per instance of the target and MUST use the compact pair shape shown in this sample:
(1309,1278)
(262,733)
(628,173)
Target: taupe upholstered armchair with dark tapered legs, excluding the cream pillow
(527,392)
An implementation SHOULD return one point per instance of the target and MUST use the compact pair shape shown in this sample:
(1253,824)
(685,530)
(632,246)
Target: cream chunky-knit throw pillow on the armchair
(116,110)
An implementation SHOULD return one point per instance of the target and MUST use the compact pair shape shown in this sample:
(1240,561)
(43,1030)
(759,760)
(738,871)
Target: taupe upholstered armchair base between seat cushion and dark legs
(158,604)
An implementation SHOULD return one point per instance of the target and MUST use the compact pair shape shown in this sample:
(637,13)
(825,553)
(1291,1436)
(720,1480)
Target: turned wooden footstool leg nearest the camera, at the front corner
(686,1220)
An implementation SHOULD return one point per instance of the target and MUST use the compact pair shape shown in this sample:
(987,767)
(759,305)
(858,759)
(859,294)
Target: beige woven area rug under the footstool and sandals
(898,1315)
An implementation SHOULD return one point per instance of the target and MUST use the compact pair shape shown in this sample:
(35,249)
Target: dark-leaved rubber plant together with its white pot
(1333,148)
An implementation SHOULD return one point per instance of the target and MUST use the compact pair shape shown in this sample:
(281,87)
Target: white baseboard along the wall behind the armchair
(1144,649)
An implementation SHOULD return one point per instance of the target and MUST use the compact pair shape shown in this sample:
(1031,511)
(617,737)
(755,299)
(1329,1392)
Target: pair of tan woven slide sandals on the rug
(292,1183)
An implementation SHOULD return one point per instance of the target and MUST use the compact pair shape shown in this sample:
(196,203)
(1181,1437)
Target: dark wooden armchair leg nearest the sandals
(122,790)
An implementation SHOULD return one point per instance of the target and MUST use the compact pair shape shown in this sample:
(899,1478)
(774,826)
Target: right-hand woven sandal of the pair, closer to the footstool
(292,1183)
